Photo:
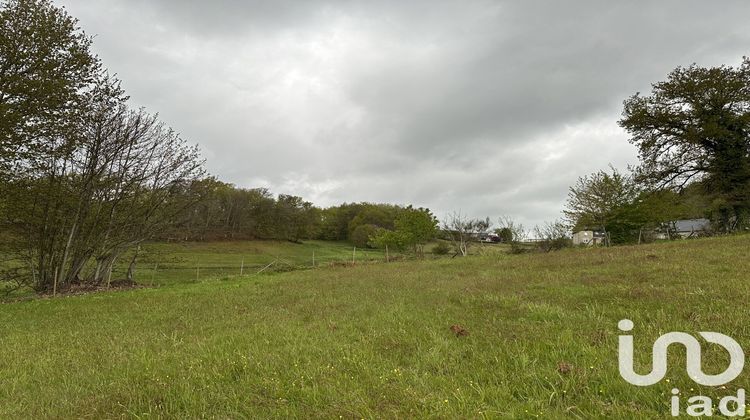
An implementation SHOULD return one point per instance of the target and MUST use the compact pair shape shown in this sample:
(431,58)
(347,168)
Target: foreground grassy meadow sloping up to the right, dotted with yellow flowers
(374,340)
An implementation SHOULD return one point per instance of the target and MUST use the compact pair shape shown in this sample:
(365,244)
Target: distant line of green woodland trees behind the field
(225,212)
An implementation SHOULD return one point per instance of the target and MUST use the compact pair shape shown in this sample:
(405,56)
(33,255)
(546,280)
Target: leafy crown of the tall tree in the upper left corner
(46,70)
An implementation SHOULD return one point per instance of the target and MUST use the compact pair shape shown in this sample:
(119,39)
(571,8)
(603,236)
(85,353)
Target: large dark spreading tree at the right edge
(695,126)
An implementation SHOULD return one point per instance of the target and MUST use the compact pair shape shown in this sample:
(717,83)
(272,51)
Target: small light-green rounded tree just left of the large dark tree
(594,199)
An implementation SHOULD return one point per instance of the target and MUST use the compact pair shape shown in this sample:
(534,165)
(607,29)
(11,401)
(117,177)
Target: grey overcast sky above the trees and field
(492,108)
